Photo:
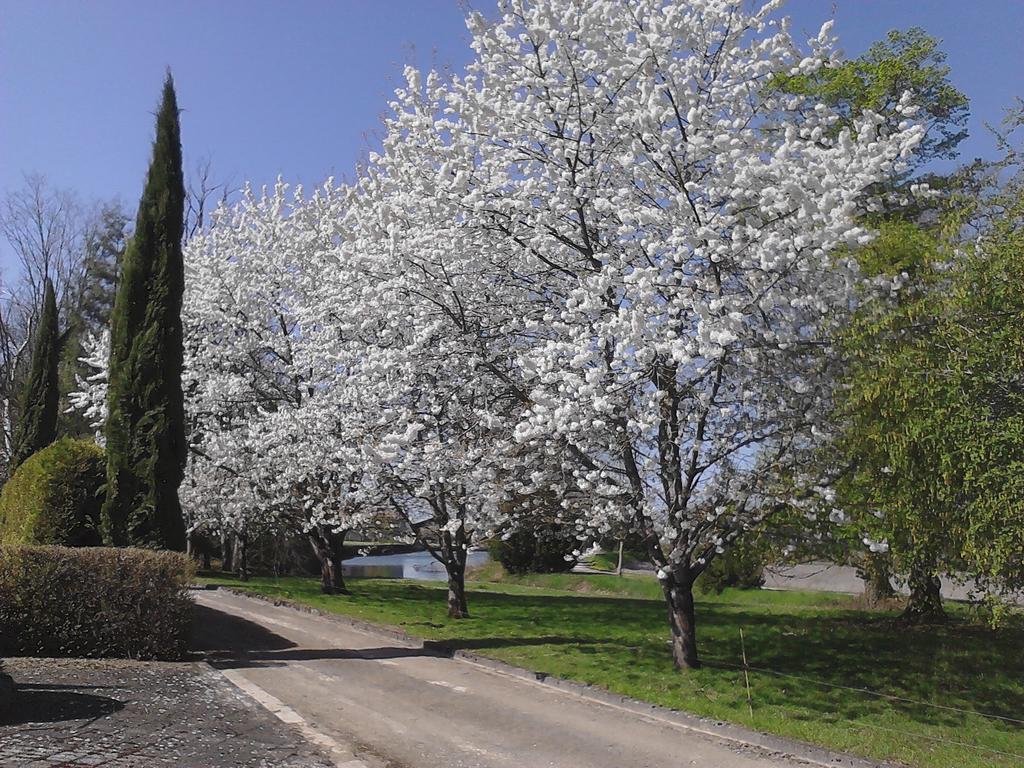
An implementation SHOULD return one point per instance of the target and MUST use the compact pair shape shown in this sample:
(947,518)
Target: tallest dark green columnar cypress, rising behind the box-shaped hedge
(146,440)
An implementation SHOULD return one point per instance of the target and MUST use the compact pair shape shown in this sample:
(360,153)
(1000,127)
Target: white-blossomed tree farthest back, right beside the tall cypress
(272,422)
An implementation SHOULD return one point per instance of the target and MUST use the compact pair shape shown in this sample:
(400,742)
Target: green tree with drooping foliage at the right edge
(935,408)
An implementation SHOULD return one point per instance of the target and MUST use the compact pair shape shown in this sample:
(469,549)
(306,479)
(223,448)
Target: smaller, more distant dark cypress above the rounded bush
(38,425)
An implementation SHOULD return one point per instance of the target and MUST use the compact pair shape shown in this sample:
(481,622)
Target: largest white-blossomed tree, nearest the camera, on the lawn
(657,233)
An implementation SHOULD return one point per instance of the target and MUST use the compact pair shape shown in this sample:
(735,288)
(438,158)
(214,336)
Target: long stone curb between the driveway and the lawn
(737,736)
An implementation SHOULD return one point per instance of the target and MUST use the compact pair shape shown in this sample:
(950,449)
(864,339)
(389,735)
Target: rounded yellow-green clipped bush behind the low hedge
(55,497)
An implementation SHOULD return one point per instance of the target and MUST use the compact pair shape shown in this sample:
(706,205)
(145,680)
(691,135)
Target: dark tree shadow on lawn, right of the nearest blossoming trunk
(816,661)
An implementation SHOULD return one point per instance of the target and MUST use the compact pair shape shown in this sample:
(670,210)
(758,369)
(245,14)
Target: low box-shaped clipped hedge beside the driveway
(125,604)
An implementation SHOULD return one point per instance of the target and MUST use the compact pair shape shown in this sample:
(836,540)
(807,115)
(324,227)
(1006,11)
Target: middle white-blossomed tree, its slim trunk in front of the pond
(431,357)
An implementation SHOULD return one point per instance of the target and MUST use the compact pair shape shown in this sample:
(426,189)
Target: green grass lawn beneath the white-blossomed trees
(820,650)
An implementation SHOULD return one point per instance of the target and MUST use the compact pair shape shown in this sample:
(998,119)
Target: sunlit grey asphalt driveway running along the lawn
(371,702)
